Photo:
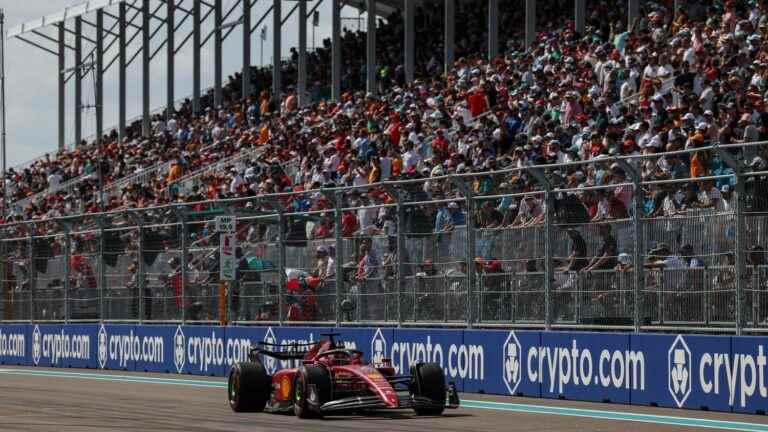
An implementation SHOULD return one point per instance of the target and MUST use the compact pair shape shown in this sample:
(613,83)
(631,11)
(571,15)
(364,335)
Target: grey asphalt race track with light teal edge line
(38,399)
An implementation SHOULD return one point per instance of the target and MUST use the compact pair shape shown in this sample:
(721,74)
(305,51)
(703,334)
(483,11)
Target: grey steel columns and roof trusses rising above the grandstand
(121,22)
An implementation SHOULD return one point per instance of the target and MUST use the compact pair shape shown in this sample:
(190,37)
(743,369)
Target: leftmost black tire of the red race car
(249,387)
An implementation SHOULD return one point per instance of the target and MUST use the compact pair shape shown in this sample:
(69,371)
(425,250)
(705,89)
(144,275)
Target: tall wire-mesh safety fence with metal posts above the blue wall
(630,253)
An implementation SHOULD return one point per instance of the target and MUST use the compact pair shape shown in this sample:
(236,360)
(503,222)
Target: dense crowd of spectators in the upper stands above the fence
(667,82)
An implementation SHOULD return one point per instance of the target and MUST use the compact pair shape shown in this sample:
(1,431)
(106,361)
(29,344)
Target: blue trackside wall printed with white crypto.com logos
(722,373)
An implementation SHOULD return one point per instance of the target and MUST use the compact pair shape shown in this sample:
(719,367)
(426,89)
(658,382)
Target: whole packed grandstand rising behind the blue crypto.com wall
(598,169)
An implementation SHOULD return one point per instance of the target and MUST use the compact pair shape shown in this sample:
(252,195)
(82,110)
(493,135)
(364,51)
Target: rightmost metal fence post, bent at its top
(739,241)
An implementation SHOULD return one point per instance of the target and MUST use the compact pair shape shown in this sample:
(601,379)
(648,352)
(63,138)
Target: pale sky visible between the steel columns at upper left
(31,73)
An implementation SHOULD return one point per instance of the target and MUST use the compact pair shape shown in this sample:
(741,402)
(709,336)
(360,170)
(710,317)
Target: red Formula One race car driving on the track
(334,380)
